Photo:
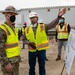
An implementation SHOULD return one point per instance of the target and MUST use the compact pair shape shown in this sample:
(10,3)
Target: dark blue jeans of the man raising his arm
(41,61)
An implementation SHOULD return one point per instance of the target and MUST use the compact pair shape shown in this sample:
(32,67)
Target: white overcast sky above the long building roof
(34,3)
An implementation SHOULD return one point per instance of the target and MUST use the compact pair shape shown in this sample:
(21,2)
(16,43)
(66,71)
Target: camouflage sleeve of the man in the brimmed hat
(3,38)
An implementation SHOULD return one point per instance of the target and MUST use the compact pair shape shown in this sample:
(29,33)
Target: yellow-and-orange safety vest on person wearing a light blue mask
(62,33)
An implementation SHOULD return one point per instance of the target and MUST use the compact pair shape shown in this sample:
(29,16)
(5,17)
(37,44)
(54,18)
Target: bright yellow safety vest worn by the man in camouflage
(12,47)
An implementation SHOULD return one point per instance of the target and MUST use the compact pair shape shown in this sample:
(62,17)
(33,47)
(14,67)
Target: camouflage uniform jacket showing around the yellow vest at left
(3,57)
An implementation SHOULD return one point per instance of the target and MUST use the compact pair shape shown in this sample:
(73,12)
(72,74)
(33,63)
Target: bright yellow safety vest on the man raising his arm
(41,39)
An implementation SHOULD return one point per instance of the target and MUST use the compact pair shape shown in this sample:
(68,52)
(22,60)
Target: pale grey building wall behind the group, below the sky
(44,14)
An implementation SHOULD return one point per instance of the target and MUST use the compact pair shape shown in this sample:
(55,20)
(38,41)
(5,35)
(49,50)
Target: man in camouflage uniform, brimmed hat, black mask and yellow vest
(9,47)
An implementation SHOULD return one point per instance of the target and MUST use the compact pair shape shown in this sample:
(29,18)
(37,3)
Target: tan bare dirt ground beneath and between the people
(52,67)
